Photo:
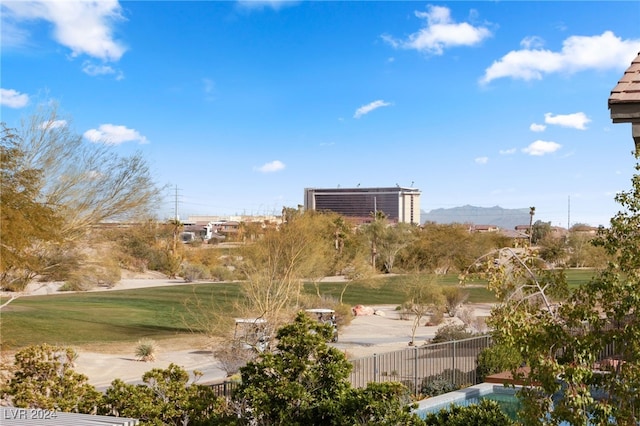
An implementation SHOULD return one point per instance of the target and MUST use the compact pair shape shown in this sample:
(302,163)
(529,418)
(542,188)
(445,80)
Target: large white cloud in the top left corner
(85,27)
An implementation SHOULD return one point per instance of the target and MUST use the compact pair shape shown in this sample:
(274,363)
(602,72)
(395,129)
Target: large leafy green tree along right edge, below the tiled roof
(562,336)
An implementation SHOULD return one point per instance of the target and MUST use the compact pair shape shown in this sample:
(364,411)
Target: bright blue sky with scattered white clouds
(242,105)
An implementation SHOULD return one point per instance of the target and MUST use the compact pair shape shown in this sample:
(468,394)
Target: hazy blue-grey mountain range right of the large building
(503,218)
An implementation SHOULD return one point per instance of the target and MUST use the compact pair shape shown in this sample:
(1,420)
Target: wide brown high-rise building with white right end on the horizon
(397,203)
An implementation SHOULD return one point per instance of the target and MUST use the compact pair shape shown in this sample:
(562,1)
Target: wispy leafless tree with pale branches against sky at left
(86,182)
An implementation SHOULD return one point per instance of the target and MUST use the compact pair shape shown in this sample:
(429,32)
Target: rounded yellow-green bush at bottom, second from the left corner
(166,397)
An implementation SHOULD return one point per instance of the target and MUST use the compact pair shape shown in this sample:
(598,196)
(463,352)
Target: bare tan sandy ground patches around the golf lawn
(364,336)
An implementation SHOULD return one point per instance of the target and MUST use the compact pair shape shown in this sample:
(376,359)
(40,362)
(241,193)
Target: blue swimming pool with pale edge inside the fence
(505,396)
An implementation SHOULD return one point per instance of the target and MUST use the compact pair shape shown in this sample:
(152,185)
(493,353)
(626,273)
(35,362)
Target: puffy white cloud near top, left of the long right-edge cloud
(440,32)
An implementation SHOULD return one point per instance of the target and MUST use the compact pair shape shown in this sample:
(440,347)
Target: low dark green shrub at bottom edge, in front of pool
(486,413)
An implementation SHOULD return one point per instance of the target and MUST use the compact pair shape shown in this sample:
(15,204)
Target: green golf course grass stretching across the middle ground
(159,312)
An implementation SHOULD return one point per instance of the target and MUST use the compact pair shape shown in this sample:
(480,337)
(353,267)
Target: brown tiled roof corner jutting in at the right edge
(624,101)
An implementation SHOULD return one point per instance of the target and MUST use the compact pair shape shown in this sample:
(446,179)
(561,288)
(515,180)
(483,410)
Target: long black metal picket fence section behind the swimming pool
(454,362)
